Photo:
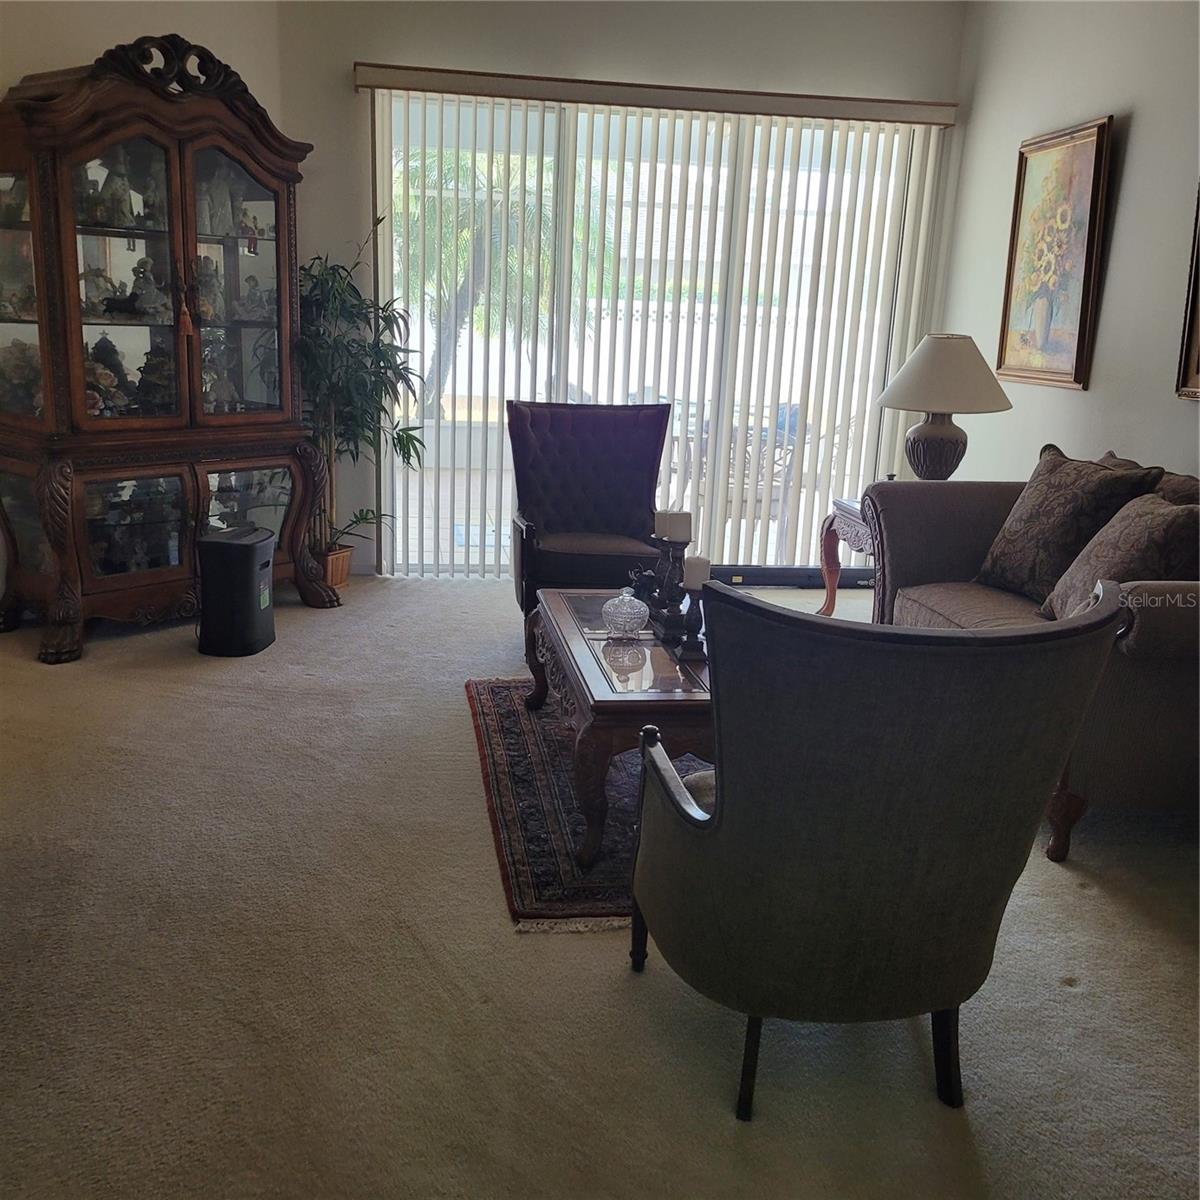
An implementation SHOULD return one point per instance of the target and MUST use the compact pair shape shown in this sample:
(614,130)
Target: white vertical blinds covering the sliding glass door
(763,275)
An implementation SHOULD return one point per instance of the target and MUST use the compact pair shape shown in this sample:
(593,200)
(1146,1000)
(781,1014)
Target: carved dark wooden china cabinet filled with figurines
(148,305)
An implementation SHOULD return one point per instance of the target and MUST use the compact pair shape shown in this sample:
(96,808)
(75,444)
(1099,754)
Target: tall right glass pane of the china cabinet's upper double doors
(236,283)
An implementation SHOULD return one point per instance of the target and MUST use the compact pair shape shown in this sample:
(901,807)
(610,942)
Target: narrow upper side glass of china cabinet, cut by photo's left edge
(21,356)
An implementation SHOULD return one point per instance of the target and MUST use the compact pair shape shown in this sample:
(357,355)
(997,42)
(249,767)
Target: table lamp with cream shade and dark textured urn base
(944,376)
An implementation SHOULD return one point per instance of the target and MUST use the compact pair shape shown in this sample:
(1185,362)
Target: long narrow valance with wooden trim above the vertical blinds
(371,76)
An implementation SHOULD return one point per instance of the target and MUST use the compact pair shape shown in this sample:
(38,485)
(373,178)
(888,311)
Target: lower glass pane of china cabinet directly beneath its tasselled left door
(135,525)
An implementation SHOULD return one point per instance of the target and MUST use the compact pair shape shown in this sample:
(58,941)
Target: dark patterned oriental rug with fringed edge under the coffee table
(526,760)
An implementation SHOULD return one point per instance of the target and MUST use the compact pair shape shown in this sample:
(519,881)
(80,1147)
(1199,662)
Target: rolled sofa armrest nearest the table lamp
(932,532)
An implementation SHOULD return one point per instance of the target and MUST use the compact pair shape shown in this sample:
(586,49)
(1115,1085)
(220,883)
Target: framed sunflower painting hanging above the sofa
(1054,249)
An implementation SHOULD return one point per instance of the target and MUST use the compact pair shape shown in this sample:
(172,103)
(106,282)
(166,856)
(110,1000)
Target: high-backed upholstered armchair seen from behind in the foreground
(875,799)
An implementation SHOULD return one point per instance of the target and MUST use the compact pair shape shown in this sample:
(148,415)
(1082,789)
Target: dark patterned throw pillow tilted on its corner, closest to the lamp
(1065,505)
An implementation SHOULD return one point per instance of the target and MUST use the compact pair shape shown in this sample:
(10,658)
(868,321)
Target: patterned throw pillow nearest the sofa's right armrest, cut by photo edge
(1149,539)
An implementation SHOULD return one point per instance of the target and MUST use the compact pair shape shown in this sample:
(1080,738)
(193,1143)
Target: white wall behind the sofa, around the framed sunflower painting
(1029,69)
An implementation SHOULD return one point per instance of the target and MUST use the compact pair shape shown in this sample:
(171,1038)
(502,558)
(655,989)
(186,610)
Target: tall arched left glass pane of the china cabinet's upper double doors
(127,284)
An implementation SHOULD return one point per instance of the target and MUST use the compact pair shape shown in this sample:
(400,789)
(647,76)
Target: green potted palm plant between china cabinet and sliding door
(356,382)
